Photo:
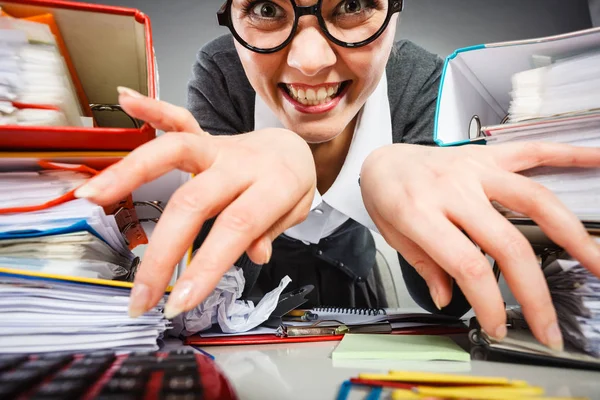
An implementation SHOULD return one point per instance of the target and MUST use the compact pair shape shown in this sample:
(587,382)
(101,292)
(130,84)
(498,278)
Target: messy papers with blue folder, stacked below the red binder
(75,238)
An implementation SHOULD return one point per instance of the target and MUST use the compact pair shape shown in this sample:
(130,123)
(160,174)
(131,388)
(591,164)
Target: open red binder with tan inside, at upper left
(108,47)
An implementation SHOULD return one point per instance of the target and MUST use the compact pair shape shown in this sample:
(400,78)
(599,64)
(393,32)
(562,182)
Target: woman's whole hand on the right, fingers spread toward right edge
(421,198)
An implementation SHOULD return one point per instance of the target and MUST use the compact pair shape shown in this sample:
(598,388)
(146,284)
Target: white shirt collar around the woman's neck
(373,130)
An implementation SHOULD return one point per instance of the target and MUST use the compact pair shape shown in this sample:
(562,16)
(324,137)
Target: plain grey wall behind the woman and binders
(181,27)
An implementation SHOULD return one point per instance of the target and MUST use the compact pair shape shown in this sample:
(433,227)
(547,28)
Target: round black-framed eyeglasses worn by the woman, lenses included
(267,26)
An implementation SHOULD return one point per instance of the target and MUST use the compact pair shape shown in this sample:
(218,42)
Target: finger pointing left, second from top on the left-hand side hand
(189,153)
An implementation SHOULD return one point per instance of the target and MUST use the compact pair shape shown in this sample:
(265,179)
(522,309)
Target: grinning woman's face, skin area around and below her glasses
(313,86)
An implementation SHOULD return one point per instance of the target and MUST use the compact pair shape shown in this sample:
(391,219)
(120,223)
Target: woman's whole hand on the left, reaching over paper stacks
(258,184)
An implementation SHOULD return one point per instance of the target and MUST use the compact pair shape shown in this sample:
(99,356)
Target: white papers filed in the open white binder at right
(560,104)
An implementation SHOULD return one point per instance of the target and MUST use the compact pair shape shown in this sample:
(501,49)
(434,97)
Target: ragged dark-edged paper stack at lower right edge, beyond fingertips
(576,296)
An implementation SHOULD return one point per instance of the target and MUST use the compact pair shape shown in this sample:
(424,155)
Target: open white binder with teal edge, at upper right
(476,81)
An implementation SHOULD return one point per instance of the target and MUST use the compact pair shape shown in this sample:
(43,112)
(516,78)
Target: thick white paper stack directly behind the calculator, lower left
(50,316)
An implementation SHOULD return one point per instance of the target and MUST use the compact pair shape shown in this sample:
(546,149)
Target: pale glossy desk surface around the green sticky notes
(306,371)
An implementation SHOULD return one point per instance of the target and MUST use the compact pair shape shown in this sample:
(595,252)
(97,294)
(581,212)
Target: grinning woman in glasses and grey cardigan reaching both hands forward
(355,115)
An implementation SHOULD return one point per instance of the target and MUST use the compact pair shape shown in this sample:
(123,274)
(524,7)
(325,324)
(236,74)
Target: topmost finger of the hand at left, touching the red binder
(161,115)
